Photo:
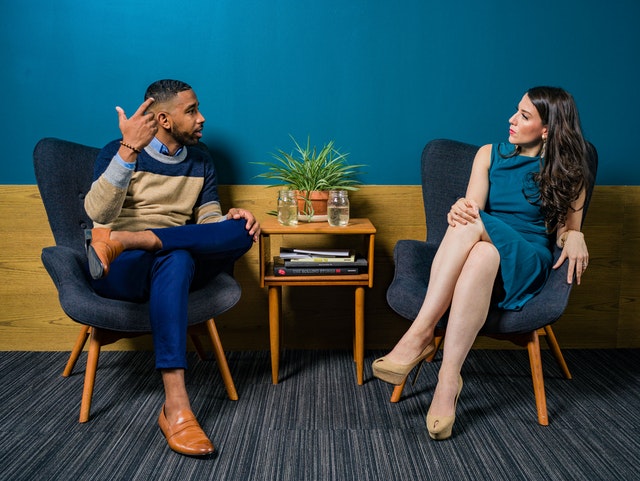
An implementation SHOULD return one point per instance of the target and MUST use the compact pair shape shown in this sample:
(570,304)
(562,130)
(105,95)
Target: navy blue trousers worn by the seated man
(190,256)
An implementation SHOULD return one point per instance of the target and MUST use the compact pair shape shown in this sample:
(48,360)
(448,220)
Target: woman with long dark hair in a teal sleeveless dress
(498,246)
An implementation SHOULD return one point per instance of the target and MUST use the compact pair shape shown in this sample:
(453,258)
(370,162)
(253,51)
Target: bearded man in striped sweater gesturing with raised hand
(159,231)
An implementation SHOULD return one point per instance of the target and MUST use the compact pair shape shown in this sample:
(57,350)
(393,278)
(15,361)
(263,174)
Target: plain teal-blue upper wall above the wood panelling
(379,77)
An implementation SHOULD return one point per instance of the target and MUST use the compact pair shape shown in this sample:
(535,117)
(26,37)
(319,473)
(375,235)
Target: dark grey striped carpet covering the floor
(317,424)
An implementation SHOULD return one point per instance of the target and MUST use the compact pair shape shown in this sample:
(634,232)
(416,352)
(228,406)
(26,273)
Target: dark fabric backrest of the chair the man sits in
(64,172)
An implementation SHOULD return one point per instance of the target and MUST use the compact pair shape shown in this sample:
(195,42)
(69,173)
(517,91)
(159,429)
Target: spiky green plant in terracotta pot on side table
(312,173)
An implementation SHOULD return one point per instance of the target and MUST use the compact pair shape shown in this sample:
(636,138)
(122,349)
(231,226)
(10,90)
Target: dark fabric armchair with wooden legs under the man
(64,172)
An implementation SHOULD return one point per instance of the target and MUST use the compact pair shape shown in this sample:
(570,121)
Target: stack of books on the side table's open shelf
(318,262)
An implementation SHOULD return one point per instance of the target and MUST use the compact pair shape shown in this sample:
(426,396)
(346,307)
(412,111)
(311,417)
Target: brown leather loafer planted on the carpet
(185,436)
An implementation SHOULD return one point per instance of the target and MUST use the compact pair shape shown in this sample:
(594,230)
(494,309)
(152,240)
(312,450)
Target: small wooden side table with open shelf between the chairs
(270,227)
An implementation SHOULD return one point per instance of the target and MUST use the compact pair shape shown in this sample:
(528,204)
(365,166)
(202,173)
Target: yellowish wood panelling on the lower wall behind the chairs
(604,312)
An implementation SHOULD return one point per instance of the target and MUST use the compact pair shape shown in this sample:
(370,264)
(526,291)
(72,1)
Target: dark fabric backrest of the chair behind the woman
(446,167)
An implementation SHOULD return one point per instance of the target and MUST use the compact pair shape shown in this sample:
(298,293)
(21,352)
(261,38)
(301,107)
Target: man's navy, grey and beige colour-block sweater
(160,191)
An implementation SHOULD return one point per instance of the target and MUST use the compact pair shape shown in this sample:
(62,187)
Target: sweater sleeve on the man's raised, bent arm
(106,196)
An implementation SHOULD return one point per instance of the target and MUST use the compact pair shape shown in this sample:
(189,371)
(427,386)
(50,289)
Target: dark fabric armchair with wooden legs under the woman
(446,166)
